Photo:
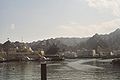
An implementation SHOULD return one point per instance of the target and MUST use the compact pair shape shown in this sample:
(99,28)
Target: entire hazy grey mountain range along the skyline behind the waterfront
(106,41)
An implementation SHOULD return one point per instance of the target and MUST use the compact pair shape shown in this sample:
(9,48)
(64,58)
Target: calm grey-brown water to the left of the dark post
(19,71)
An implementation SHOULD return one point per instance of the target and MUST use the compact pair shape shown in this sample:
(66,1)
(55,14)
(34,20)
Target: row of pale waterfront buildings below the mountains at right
(85,53)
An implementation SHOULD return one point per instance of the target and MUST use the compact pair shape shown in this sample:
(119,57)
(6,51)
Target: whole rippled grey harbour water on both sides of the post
(71,69)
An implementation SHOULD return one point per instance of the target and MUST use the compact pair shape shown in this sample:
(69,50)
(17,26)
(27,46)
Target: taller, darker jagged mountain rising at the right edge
(111,41)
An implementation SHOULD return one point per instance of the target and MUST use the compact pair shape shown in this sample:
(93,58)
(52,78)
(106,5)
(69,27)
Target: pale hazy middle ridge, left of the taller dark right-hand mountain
(62,43)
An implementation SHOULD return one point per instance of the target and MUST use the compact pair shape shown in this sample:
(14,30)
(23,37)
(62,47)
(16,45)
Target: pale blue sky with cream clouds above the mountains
(32,20)
